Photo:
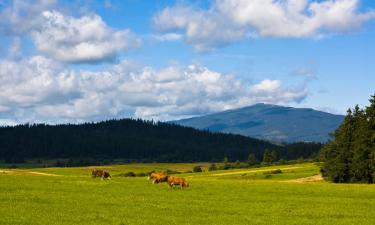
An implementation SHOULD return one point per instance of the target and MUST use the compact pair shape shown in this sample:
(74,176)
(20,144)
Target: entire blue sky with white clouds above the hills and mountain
(79,61)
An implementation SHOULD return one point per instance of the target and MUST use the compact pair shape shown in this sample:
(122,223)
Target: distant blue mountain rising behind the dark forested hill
(270,122)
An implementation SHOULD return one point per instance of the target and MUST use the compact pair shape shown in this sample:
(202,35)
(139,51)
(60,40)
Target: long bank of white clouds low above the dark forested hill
(41,90)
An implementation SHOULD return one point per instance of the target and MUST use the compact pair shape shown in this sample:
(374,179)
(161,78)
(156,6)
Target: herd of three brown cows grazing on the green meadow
(155,177)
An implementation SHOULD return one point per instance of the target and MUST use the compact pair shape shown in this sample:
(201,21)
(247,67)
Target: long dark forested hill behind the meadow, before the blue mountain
(137,140)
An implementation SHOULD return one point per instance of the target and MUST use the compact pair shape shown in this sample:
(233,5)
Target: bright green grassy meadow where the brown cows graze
(246,196)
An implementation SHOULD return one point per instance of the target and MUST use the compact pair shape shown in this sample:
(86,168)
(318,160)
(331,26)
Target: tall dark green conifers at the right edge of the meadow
(350,156)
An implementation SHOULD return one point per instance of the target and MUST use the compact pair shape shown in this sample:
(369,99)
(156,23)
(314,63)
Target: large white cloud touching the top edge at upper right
(227,21)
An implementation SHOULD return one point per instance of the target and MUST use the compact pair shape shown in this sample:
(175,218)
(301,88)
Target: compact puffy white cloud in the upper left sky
(81,40)
